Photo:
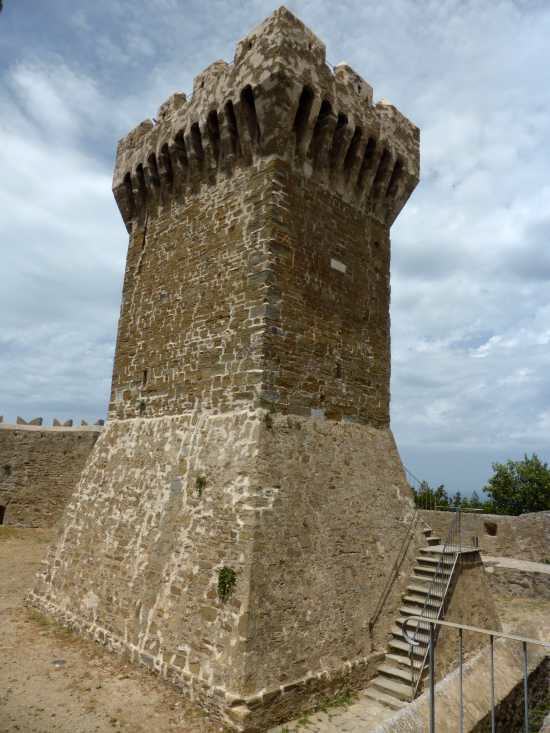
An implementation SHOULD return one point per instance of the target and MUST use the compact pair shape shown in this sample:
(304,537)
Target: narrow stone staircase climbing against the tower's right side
(393,685)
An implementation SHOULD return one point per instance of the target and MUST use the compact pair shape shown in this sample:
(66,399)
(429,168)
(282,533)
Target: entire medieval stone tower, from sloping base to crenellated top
(238,516)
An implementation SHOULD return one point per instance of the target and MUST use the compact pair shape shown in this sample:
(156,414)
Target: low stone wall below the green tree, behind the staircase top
(526,537)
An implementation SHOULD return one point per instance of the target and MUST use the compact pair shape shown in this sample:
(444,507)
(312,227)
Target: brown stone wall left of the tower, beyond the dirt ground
(39,468)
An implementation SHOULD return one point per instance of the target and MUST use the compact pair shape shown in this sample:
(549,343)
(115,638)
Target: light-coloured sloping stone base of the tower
(308,513)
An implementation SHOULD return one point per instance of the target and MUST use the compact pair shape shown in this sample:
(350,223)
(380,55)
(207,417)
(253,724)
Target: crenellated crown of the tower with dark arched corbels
(279,98)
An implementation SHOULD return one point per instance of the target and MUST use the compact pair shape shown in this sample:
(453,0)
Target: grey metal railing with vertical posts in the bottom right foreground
(434,624)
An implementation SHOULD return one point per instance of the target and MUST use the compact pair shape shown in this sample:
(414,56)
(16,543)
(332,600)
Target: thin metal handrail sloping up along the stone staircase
(434,602)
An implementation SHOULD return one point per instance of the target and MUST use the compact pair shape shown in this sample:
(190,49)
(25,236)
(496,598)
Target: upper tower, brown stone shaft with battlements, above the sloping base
(259,214)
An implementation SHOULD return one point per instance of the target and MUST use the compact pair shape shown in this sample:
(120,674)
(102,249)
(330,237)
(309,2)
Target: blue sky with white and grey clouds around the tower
(471,254)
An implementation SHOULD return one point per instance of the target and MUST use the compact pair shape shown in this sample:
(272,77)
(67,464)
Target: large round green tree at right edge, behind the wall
(517,487)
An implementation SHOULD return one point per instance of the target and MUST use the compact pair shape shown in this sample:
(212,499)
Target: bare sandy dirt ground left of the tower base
(52,681)
